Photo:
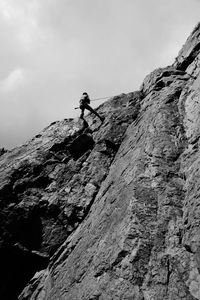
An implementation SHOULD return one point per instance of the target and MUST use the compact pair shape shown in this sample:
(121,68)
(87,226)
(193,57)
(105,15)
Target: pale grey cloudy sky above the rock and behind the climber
(54,50)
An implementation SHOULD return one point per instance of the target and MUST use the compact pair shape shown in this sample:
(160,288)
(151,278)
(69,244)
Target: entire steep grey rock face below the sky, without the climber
(109,211)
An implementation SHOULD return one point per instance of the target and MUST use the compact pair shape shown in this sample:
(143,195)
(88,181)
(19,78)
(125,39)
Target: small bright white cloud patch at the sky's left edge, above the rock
(13,80)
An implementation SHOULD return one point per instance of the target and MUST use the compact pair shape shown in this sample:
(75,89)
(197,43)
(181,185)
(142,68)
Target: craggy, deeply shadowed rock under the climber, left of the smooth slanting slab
(48,186)
